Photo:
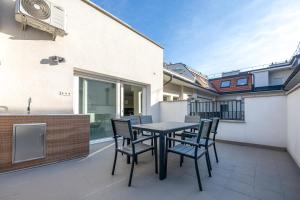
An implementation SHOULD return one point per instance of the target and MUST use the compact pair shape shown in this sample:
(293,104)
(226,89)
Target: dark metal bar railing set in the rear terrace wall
(225,110)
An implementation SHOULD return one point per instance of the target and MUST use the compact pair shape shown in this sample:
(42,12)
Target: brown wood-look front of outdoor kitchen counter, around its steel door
(67,137)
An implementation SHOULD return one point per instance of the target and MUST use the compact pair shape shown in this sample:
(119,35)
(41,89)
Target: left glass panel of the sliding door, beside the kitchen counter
(98,99)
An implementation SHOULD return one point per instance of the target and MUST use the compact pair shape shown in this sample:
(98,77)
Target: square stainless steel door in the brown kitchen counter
(29,142)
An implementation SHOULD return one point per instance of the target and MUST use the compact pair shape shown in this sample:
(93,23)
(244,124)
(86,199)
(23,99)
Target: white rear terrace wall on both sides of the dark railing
(265,120)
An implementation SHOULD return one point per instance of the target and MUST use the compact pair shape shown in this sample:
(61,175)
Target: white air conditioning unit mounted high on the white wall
(43,15)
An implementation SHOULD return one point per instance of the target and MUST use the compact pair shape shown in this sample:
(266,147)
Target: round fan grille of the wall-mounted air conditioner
(37,8)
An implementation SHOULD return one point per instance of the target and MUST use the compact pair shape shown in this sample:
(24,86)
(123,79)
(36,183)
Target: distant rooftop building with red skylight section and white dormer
(269,78)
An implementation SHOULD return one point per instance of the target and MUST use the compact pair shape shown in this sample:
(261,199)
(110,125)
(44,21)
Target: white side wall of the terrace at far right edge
(293,124)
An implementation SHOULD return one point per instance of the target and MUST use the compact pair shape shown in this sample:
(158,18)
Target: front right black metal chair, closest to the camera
(193,149)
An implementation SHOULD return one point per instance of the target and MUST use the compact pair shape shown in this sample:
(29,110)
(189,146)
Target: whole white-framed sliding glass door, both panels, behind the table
(104,100)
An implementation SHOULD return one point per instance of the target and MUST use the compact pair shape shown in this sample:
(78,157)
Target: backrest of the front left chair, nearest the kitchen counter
(122,128)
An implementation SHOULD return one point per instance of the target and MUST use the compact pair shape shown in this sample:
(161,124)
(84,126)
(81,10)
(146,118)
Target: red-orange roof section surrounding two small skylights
(233,88)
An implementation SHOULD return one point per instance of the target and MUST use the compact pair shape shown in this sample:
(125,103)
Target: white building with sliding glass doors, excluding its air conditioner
(103,67)
